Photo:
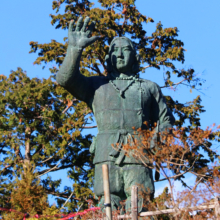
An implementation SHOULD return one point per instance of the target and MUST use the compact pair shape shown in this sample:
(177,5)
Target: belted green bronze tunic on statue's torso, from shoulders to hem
(120,106)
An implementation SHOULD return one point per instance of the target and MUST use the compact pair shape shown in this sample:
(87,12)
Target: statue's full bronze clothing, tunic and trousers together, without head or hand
(119,106)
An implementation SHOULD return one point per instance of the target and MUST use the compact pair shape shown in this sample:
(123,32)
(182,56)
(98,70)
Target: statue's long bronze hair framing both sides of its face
(135,68)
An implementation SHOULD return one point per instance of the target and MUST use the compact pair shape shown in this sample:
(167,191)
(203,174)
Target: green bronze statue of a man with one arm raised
(119,102)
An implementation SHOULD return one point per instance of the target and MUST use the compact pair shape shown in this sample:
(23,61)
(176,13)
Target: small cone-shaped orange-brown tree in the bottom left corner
(28,197)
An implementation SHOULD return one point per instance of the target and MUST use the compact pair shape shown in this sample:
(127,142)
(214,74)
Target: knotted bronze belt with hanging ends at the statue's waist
(123,137)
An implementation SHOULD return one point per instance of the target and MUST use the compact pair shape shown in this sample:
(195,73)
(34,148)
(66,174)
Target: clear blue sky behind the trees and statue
(197,20)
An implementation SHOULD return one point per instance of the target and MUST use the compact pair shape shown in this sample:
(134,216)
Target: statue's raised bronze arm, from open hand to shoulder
(69,75)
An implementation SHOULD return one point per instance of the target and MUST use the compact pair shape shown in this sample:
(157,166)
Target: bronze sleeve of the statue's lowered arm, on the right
(160,113)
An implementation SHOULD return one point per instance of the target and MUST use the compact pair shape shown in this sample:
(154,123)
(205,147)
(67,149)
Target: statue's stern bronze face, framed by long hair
(122,55)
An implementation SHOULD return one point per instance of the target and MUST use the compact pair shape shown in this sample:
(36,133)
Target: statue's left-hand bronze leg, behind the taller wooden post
(115,182)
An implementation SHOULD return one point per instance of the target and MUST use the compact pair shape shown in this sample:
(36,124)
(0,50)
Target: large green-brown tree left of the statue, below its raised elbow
(37,129)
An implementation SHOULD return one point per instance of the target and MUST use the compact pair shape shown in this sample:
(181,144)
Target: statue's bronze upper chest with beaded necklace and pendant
(126,95)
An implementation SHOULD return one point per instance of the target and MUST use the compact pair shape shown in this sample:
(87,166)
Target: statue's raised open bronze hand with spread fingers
(80,36)
